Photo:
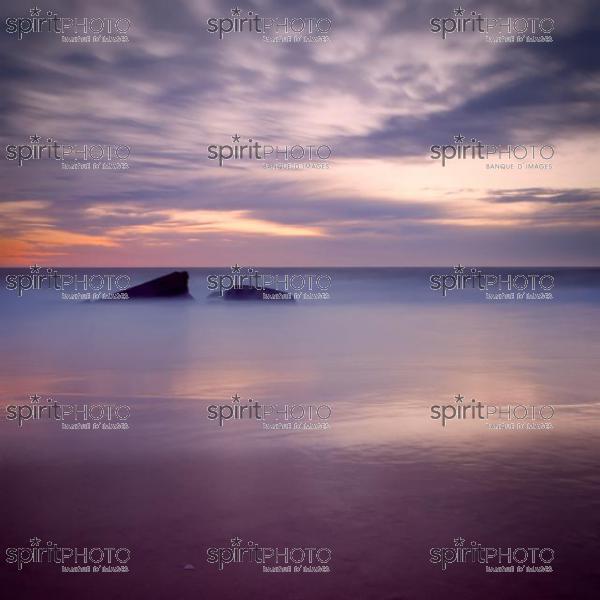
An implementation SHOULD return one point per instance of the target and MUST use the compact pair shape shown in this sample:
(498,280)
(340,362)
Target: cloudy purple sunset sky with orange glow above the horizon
(379,92)
